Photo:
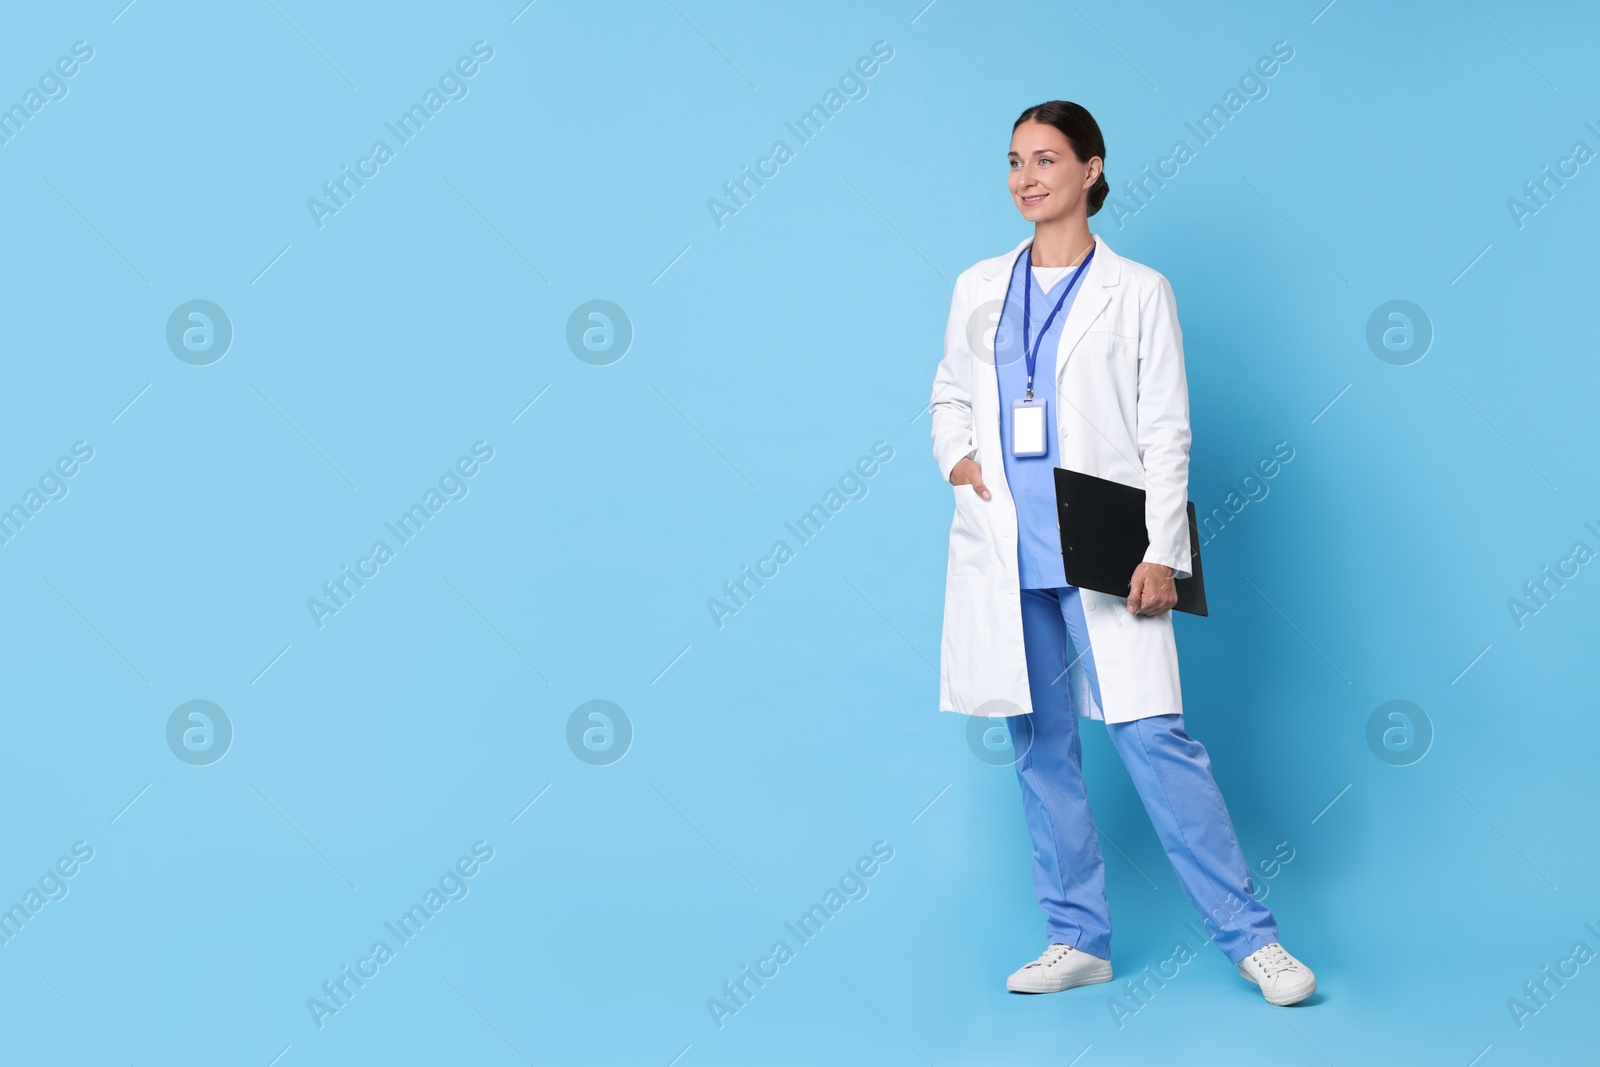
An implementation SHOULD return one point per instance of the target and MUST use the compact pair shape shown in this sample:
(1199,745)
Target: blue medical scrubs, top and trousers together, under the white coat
(1170,769)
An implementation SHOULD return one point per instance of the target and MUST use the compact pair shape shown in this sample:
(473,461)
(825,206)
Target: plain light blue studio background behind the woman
(769,356)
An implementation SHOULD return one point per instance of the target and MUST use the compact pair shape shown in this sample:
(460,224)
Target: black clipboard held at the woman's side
(1103,538)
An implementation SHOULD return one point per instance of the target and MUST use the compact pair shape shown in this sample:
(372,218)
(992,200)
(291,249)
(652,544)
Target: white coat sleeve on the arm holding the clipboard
(1164,428)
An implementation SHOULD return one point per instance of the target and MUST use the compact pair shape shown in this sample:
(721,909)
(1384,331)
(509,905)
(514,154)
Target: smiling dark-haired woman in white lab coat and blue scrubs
(1062,353)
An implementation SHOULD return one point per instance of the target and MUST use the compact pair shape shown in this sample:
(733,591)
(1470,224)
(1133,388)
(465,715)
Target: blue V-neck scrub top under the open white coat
(1033,479)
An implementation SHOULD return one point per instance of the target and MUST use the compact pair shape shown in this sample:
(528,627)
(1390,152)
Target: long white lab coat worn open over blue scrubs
(1122,414)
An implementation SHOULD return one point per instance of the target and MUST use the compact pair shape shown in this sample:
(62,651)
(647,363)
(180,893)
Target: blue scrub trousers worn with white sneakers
(1172,773)
